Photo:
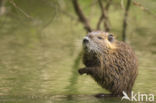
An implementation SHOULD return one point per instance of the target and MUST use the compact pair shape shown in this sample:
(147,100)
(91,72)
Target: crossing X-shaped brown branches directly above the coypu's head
(104,11)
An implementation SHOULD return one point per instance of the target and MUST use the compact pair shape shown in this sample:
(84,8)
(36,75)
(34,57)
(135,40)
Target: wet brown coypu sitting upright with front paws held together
(110,62)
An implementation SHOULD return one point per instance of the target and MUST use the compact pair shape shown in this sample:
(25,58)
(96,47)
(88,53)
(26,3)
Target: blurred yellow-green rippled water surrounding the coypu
(39,61)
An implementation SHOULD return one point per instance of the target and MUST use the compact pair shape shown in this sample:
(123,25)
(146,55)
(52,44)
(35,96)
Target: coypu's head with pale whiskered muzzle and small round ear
(98,42)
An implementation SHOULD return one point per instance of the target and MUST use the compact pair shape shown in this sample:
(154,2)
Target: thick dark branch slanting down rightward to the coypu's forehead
(81,16)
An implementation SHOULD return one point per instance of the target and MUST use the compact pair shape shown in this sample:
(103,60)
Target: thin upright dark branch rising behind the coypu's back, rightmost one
(125,19)
